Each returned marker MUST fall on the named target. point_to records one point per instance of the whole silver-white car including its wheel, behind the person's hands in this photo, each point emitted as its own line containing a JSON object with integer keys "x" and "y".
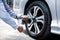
{"x": 44, "y": 16}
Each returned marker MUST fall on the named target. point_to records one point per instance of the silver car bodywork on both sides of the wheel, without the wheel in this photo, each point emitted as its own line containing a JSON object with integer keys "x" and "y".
{"x": 55, "y": 12}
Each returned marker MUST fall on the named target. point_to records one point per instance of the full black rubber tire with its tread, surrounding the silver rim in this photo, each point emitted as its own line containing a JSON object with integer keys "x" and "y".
{"x": 46, "y": 29}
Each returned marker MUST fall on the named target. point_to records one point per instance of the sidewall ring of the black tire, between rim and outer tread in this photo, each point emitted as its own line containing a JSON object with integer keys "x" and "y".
{"x": 46, "y": 16}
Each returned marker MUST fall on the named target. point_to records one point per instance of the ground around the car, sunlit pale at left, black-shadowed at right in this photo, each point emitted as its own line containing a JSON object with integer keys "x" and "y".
{"x": 8, "y": 33}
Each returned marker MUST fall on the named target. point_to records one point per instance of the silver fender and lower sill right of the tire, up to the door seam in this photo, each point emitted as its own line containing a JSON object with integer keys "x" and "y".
{"x": 54, "y": 24}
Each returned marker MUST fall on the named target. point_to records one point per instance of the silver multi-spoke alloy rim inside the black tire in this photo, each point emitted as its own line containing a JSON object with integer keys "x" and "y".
{"x": 34, "y": 20}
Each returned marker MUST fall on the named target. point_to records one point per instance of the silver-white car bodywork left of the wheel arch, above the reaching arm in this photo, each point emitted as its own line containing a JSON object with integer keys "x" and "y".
{"x": 19, "y": 6}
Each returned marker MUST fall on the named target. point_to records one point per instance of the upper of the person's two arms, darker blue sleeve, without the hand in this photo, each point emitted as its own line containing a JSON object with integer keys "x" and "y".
{"x": 12, "y": 14}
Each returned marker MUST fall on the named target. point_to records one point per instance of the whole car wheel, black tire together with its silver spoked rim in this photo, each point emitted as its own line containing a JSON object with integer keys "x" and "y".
{"x": 45, "y": 29}
